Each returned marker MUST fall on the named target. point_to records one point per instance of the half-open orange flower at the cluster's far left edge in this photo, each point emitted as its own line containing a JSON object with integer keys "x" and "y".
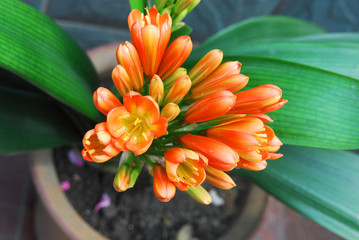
{"x": 98, "y": 145}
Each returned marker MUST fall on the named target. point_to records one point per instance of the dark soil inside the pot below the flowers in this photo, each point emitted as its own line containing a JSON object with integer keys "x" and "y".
{"x": 137, "y": 214}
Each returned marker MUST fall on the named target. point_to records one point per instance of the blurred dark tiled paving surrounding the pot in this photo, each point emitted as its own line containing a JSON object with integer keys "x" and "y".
{"x": 97, "y": 22}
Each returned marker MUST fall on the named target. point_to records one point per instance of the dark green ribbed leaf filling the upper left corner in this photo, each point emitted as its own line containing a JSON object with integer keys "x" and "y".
{"x": 35, "y": 48}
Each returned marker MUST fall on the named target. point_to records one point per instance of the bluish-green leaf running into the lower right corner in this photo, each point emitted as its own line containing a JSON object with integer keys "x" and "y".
{"x": 321, "y": 184}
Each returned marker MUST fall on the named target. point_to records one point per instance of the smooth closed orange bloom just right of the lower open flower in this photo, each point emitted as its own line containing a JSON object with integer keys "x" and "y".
{"x": 219, "y": 155}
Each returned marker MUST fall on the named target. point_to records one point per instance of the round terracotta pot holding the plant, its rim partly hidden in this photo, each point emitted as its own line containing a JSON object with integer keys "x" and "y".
{"x": 56, "y": 219}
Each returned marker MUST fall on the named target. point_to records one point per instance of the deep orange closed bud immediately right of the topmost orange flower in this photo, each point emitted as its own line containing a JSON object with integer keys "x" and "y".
{"x": 175, "y": 56}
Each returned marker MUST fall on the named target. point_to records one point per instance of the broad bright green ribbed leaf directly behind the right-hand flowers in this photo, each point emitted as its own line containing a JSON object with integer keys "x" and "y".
{"x": 322, "y": 109}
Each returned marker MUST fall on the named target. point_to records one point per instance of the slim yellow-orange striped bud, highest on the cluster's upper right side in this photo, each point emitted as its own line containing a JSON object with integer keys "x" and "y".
{"x": 205, "y": 66}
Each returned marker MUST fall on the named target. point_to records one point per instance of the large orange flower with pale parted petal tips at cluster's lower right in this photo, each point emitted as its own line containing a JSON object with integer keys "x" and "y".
{"x": 249, "y": 137}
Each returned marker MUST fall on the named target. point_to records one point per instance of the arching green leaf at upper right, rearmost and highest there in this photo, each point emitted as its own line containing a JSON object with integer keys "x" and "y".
{"x": 257, "y": 30}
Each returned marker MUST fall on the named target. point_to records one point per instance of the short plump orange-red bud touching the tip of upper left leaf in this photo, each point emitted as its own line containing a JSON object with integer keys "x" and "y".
{"x": 105, "y": 101}
